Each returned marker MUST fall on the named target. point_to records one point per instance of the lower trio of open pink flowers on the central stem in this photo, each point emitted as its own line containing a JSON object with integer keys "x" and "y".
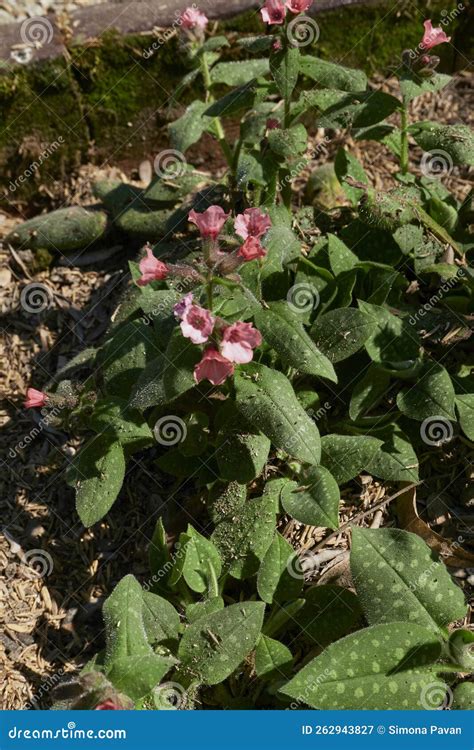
{"x": 233, "y": 344}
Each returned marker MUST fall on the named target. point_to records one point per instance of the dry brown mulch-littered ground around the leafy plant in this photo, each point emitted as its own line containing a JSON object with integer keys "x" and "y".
{"x": 51, "y": 625}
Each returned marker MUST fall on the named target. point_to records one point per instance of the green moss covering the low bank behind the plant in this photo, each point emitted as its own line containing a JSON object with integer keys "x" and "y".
{"x": 115, "y": 94}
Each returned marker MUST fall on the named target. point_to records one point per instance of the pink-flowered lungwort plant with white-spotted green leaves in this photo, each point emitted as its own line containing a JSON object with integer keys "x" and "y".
{"x": 267, "y": 356}
